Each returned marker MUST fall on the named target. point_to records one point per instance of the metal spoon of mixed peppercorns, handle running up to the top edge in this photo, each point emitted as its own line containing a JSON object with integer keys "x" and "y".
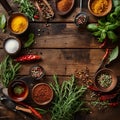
{"x": 81, "y": 18}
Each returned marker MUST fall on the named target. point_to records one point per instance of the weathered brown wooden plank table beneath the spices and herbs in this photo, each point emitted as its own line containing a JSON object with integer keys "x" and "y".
{"x": 64, "y": 48}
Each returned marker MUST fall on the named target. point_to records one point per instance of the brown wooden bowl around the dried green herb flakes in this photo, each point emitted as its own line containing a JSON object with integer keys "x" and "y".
{"x": 111, "y": 85}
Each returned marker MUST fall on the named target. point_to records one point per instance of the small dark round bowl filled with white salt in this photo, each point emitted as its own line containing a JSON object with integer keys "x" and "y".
{"x": 12, "y": 45}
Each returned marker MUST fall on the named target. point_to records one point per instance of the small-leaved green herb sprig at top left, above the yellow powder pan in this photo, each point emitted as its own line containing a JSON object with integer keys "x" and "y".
{"x": 26, "y": 7}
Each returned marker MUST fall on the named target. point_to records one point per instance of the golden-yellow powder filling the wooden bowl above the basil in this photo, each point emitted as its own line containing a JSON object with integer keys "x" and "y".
{"x": 99, "y": 6}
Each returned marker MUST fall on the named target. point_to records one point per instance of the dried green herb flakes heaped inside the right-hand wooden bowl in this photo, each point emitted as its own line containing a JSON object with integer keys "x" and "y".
{"x": 104, "y": 80}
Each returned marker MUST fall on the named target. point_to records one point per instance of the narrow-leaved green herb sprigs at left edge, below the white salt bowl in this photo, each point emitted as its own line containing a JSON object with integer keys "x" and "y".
{"x": 8, "y": 70}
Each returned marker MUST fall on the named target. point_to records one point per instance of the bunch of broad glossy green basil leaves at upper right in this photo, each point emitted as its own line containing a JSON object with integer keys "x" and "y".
{"x": 106, "y": 26}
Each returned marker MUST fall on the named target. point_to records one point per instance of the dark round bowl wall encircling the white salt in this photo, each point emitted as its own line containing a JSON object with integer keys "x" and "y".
{"x": 12, "y": 53}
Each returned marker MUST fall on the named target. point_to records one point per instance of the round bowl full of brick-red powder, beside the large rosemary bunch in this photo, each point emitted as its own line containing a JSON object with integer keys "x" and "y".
{"x": 42, "y": 94}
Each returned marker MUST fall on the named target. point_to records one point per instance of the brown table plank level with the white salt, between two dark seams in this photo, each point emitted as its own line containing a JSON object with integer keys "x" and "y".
{"x": 59, "y": 35}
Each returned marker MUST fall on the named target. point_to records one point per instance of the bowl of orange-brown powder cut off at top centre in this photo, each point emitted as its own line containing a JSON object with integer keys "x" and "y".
{"x": 63, "y": 7}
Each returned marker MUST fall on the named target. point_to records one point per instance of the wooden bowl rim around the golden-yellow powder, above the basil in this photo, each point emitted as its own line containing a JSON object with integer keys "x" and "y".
{"x": 90, "y": 2}
